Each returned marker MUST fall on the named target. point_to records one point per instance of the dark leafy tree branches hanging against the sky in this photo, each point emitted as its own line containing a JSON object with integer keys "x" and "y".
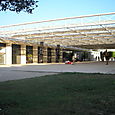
{"x": 18, "y": 5}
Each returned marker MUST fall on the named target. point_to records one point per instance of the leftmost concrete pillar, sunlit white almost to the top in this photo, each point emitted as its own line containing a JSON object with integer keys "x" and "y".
{"x": 8, "y": 54}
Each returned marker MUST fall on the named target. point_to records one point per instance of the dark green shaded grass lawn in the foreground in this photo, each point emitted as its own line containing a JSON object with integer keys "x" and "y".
{"x": 61, "y": 94}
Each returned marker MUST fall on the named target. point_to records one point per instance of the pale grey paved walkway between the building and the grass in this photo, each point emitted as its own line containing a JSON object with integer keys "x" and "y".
{"x": 28, "y": 71}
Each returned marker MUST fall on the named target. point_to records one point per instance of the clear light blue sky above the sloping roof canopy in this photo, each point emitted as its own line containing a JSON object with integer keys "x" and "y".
{"x": 53, "y": 9}
